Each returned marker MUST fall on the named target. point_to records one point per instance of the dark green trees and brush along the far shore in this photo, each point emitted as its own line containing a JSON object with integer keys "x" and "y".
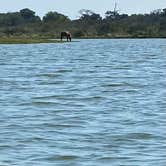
{"x": 25, "y": 23}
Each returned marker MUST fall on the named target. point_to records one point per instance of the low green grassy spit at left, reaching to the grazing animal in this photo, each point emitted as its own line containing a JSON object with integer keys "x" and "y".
{"x": 28, "y": 40}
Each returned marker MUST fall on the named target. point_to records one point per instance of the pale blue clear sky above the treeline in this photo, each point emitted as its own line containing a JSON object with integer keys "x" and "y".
{"x": 71, "y": 7}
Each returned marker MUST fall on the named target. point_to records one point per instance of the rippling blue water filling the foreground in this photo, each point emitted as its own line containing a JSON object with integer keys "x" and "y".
{"x": 87, "y": 103}
